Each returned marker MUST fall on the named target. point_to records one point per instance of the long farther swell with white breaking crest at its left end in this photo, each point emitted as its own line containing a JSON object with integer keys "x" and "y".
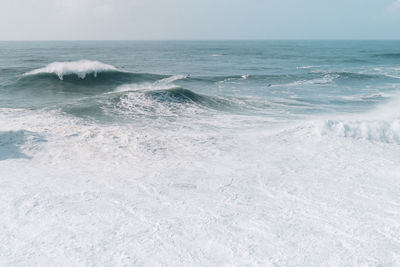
{"x": 90, "y": 76}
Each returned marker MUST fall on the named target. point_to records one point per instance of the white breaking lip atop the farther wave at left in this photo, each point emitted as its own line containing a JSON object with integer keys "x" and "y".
{"x": 80, "y": 68}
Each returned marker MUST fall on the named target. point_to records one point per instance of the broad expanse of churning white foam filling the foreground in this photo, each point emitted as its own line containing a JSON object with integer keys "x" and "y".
{"x": 216, "y": 190}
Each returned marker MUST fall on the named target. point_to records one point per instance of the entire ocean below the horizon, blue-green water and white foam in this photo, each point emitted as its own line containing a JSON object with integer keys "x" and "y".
{"x": 203, "y": 153}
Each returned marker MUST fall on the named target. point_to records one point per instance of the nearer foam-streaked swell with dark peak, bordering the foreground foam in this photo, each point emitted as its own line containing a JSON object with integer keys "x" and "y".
{"x": 160, "y": 103}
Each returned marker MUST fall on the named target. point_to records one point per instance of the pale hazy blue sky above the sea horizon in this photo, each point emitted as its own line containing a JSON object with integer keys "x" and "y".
{"x": 199, "y": 19}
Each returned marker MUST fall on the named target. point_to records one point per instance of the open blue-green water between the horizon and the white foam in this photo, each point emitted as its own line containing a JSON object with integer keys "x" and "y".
{"x": 271, "y": 77}
